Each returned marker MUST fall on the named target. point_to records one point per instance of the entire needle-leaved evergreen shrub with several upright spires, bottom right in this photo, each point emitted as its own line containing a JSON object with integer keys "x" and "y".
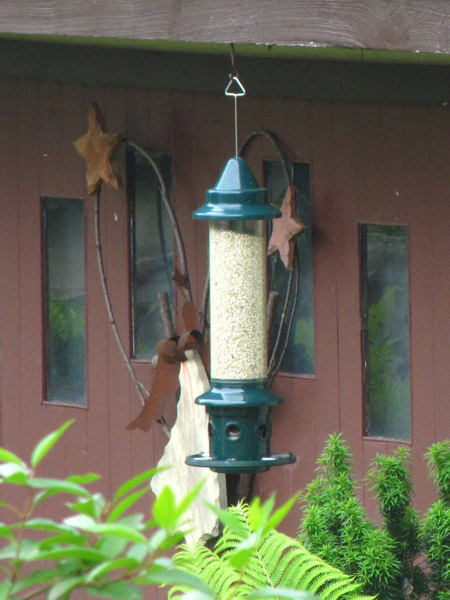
{"x": 407, "y": 557}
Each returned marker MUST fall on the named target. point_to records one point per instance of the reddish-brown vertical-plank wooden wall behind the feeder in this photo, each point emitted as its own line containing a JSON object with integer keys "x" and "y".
{"x": 370, "y": 162}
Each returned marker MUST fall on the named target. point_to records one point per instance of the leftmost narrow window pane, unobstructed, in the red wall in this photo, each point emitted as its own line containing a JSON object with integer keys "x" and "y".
{"x": 64, "y": 290}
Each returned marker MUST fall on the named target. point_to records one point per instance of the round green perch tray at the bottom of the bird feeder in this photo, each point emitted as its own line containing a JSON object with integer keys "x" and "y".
{"x": 231, "y": 465}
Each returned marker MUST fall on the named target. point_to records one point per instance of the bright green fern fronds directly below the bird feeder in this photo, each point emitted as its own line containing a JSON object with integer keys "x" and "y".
{"x": 251, "y": 555}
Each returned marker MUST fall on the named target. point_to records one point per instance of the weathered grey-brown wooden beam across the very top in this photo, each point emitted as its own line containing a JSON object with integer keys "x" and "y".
{"x": 422, "y": 25}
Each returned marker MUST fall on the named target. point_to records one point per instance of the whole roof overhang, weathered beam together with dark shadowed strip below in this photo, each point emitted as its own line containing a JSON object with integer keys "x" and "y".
{"x": 359, "y": 50}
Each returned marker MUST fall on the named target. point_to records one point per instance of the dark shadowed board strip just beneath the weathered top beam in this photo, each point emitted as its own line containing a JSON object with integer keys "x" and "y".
{"x": 306, "y": 80}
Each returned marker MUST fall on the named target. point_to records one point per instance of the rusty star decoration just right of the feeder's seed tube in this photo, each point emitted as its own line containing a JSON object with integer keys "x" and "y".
{"x": 286, "y": 229}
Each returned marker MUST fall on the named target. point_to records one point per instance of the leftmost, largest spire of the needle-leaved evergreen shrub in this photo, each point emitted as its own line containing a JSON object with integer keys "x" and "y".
{"x": 335, "y": 526}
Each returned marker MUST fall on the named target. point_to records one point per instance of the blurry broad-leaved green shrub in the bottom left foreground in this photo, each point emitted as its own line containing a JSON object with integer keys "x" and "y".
{"x": 102, "y": 547}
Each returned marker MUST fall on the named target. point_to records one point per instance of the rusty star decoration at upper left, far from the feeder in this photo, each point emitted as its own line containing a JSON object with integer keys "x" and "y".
{"x": 99, "y": 149}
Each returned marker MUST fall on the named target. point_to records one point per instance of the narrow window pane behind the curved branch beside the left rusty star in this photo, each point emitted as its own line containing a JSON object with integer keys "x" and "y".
{"x": 151, "y": 251}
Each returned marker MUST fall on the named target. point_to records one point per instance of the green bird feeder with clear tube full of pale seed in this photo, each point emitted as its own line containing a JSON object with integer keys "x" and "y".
{"x": 239, "y": 404}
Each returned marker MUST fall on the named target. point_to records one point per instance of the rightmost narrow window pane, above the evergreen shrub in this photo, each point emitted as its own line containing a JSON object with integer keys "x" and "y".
{"x": 385, "y": 308}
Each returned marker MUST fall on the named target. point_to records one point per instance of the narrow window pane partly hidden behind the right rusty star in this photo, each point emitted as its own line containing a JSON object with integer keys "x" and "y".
{"x": 300, "y": 355}
